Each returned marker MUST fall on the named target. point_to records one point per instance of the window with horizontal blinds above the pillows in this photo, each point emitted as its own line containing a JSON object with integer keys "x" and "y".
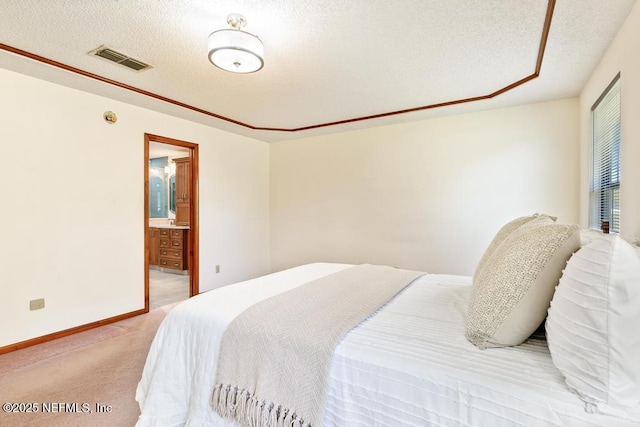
{"x": 604, "y": 197}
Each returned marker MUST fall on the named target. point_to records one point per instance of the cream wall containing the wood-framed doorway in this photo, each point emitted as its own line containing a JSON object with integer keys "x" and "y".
{"x": 72, "y": 217}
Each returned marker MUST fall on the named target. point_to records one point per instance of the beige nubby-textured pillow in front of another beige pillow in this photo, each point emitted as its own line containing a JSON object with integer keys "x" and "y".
{"x": 511, "y": 293}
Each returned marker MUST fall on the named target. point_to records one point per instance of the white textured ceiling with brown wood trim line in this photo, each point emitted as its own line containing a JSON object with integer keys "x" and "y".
{"x": 325, "y": 60}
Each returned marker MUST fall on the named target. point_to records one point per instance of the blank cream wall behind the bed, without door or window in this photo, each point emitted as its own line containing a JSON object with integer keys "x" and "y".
{"x": 426, "y": 195}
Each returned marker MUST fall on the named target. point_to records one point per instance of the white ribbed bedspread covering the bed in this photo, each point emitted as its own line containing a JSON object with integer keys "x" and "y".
{"x": 409, "y": 365}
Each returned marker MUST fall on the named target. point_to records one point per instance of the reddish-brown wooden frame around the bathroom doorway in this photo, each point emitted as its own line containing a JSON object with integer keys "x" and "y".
{"x": 193, "y": 240}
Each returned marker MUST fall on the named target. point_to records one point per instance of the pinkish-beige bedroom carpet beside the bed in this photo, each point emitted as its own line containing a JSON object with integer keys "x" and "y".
{"x": 99, "y": 366}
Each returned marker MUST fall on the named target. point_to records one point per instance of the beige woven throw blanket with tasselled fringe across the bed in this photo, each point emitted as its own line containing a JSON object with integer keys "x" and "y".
{"x": 275, "y": 357}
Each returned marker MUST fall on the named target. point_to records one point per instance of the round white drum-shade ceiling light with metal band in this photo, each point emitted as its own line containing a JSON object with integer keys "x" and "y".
{"x": 235, "y": 50}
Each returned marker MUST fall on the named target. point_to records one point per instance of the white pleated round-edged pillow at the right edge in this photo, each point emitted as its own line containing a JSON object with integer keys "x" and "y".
{"x": 593, "y": 326}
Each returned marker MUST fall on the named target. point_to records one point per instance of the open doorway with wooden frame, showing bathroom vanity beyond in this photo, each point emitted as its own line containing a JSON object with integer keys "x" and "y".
{"x": 171, "y": 220}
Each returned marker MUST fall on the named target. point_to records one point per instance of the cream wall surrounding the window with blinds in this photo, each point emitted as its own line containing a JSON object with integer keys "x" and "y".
{"x": 622, "y": 56}
